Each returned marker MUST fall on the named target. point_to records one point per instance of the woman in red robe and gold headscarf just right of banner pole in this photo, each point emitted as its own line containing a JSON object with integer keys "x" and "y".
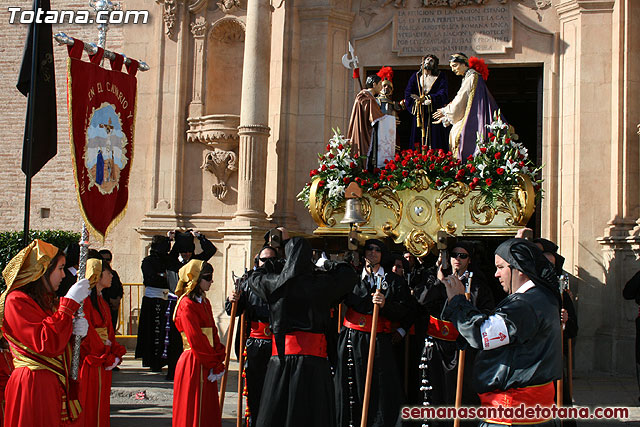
{"x": 100, "y": 352}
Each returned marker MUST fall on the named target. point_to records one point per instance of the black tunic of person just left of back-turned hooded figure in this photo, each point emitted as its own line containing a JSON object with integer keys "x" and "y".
{"x": 255, "y": 309}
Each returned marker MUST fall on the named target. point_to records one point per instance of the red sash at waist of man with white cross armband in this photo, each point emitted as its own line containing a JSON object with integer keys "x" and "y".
{"x": 531, "y": 396}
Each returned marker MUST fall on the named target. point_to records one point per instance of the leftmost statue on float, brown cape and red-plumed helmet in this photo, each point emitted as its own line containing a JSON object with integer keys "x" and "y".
{"x": 372, "y": 132}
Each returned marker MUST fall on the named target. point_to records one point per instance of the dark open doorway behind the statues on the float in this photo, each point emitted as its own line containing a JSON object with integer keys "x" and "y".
{"x": 518, "y": 92}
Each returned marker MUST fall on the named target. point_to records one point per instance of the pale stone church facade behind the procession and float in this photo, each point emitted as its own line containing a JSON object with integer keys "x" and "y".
{"x": 242, "y": 94}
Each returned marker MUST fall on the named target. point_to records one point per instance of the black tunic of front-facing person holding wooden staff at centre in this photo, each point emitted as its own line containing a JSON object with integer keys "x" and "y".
{"x": 387, "y": 395}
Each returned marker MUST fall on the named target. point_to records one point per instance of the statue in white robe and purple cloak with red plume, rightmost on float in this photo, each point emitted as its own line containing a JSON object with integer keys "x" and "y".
{"x": 471, "y": 110}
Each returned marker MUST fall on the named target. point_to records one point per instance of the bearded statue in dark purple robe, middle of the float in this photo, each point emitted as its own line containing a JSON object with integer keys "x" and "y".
{"x": 426, "y": 91}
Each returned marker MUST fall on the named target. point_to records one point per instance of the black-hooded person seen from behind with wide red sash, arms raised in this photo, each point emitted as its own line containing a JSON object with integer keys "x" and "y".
{"x": 298, "y": 390}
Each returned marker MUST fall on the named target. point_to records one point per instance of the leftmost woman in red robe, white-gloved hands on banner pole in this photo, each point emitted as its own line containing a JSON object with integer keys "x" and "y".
{"x": 38, "y": 392}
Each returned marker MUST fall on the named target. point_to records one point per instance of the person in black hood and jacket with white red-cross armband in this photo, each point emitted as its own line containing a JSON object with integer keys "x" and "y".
{"x": 520, "y": 340}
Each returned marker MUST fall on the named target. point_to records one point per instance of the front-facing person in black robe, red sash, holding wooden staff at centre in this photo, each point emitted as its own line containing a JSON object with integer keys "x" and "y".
{"x": 387, "y": 394}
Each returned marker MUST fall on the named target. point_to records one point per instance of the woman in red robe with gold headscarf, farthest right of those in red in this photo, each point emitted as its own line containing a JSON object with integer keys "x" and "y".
{"x": 201, "y": 365}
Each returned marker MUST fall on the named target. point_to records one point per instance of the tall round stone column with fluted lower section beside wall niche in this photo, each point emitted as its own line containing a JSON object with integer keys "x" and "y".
{"x": 254, "y": 114}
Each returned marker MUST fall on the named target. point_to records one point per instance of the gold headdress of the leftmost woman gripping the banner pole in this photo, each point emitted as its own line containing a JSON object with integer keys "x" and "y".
{"x": 28, "y": 266}
